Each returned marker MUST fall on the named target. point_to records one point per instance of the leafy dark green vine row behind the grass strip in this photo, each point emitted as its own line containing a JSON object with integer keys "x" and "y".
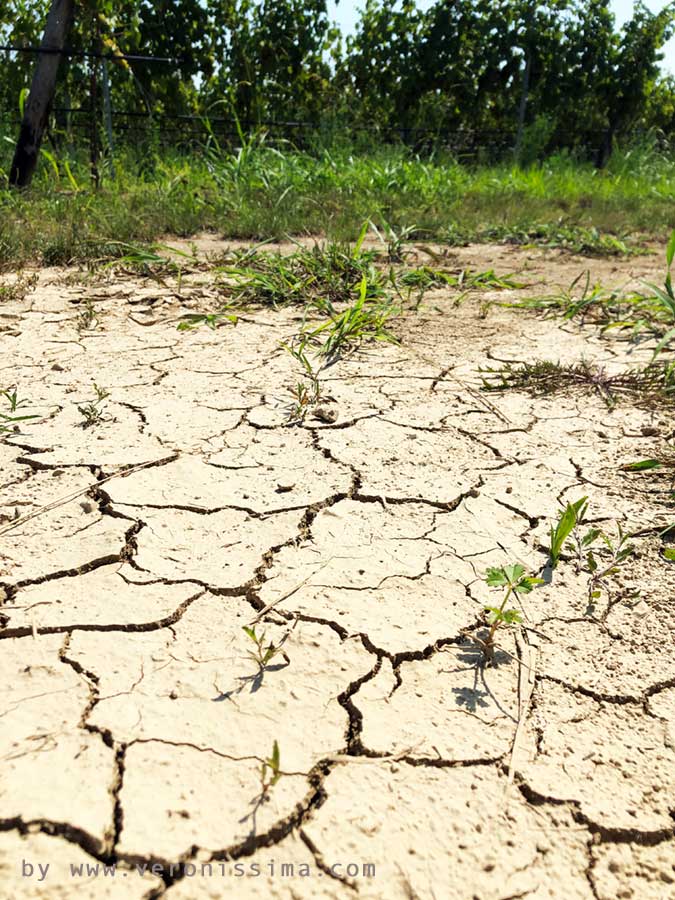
{"x": 450, "y": 67}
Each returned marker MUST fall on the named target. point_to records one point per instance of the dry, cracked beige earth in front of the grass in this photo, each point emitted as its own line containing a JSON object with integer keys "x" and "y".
{"x": 133, "y": 721}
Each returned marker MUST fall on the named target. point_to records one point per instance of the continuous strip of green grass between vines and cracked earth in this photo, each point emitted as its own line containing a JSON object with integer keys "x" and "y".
{"x": 266, "y": 193}
